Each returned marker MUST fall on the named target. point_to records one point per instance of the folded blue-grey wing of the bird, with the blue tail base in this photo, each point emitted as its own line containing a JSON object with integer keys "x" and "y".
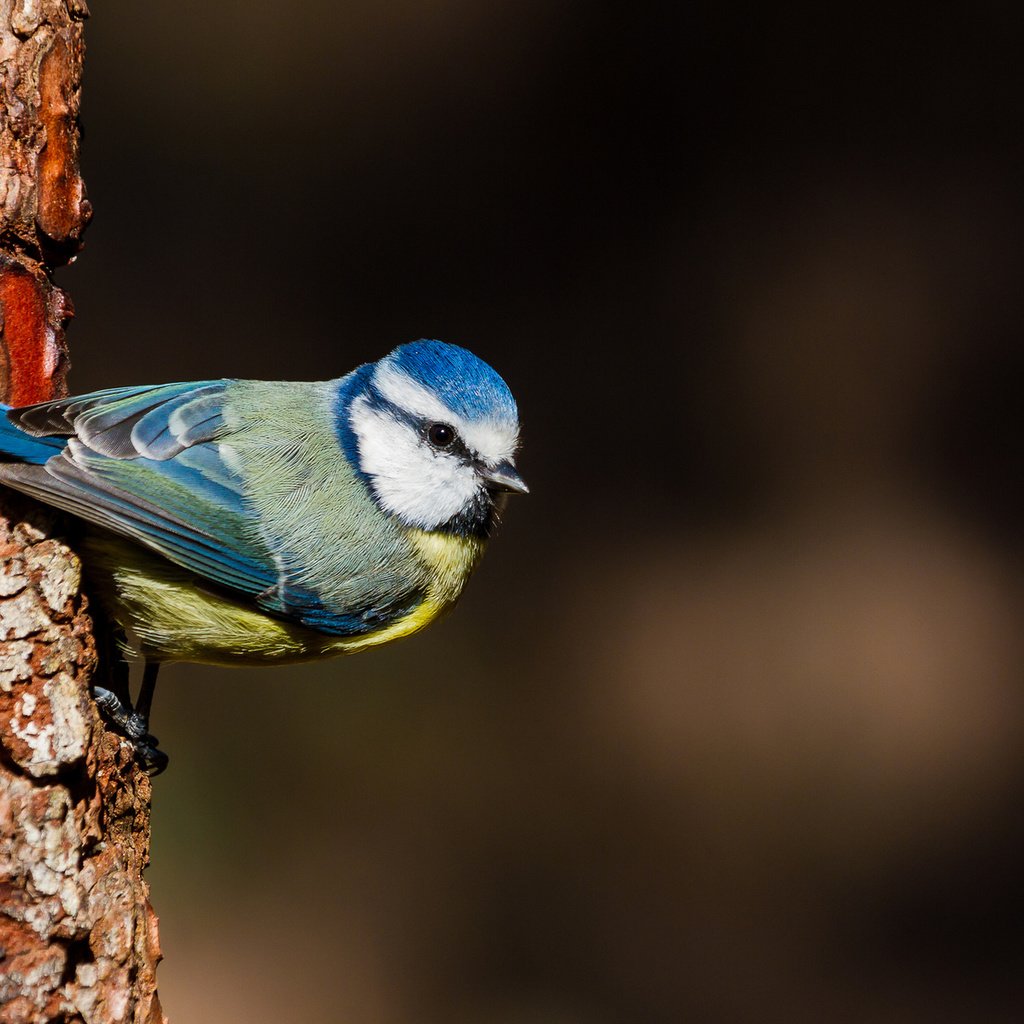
{"x": 146, "y": 463}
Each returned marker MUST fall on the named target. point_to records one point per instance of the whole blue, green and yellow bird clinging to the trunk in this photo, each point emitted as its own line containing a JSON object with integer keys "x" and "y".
{"x": 257, "y": 523}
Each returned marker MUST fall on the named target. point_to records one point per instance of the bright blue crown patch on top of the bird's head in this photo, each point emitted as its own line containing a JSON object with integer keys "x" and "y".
{"x": 466, "y": 385}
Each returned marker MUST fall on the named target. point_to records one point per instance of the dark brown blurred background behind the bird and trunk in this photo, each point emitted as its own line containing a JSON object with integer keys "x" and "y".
{"x": 729, "y": 727}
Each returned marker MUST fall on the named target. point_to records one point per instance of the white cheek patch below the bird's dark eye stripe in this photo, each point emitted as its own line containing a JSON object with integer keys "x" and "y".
{"x": 422, "y": 488}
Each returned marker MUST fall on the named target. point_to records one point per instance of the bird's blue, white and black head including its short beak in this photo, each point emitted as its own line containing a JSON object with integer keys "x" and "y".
{"x": 434, "y": 432}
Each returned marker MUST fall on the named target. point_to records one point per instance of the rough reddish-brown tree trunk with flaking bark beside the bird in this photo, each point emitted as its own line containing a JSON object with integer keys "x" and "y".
{"x": 78, "y": 936}
